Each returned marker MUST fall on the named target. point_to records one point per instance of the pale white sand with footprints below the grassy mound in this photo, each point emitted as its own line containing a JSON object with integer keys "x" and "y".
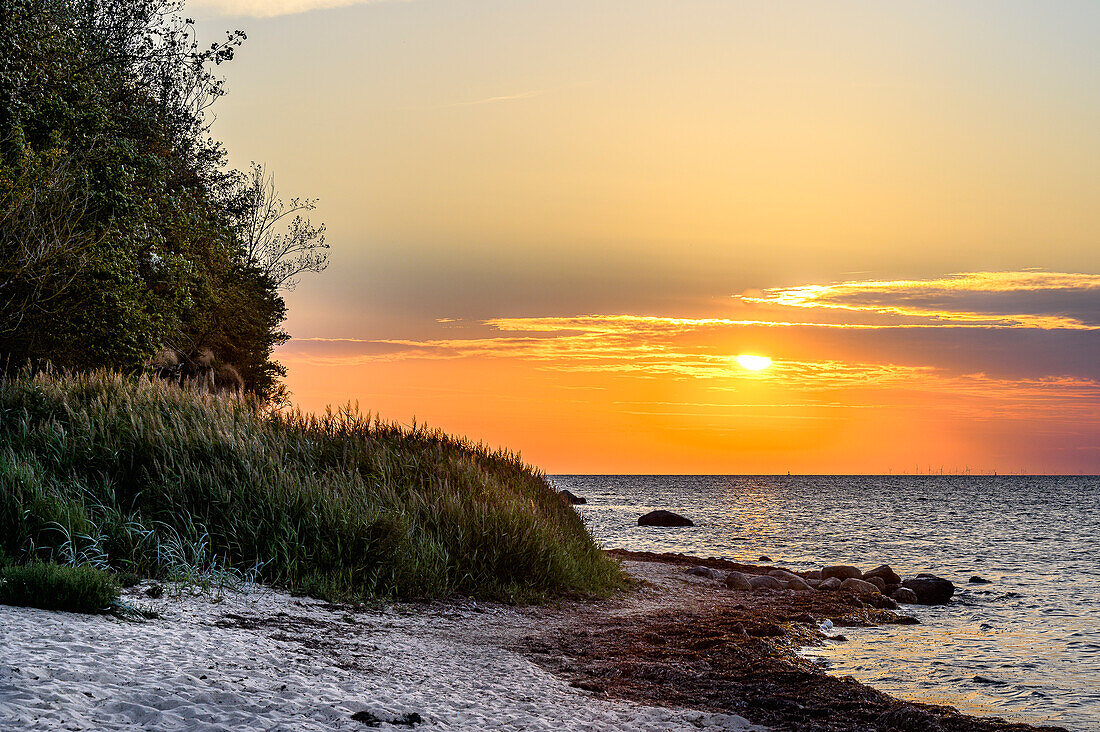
{"x": 197, "y": 669}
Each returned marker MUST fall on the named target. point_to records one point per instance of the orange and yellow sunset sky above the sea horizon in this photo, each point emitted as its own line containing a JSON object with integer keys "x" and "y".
{"x": 556, "y": 226}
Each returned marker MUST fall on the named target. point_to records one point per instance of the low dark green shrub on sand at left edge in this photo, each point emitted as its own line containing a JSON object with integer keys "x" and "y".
{"x": 58, "y": 587}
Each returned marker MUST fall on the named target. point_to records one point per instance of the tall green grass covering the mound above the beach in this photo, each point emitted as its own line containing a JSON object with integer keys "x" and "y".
{"x": 124, "y": 473}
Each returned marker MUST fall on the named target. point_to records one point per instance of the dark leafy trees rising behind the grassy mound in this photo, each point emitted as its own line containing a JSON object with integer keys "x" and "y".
{"x": 123, "y": 231}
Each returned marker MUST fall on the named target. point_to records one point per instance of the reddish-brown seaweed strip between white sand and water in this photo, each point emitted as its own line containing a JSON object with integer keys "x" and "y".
{"x": 738, "y": 652}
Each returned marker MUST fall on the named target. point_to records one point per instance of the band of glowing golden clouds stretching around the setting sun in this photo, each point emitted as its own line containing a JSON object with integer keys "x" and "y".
{"x": 964, "y": 334}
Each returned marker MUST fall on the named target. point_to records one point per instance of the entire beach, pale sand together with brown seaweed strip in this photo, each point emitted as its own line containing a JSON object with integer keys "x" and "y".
{"x": 678, "y": 652}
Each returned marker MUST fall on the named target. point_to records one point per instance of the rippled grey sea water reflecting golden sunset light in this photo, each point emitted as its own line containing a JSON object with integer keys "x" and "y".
{"x": 1026, "y": 648}
